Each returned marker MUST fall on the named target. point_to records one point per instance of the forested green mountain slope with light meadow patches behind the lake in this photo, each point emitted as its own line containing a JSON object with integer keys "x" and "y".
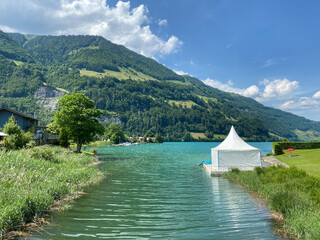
{"x": 134, "y": 90}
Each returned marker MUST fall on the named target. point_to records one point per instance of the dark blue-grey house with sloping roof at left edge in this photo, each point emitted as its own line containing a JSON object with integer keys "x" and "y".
{"x": 24, "y": 121}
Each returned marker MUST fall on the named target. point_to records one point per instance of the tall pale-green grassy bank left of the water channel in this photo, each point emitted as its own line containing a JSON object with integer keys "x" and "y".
{"x": 32, "y": 180}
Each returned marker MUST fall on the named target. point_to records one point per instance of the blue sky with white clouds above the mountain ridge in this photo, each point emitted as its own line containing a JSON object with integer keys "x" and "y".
{"x": 268, "y": 50}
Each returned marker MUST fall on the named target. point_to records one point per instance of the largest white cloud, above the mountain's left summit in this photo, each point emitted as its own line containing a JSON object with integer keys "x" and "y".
{"x": 120, "y": 24}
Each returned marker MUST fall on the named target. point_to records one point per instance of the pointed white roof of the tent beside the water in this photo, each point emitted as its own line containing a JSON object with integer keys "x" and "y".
{"x": 234, "y": 143}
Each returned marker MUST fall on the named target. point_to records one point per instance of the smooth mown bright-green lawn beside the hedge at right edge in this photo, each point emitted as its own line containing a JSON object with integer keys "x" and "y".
{"x": 308, "y": 160}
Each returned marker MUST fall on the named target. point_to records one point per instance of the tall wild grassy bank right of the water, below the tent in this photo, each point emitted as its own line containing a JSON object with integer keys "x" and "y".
{"x": 289, "y": 191}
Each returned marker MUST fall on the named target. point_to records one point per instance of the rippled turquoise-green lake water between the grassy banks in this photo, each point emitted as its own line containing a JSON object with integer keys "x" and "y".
{"x": 158, "y": 191}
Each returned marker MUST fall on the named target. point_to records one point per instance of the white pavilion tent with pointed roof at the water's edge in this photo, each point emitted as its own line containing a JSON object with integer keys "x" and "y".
{"x": 233, "y": 152}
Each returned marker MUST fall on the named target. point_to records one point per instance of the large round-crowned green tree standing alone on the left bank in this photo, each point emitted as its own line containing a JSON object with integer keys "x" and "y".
{"x": 77, "y": 117}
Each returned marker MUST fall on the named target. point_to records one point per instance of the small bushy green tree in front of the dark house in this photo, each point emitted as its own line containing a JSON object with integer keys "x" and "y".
{"x": 17, "y": 138}
